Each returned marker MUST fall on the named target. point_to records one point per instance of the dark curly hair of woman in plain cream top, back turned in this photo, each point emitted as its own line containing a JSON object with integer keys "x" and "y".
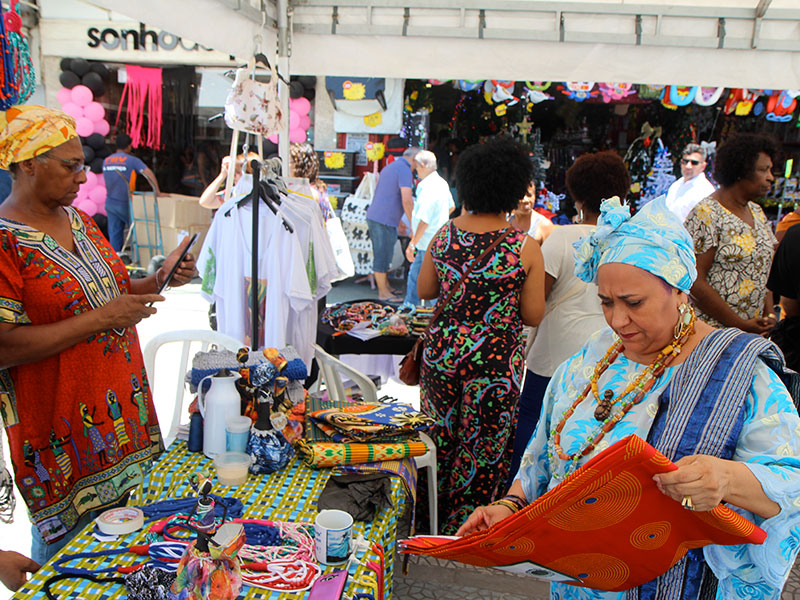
{"x": 594, "y": 177}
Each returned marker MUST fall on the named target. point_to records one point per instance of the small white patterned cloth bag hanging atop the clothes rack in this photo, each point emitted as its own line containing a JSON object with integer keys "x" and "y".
{"x": 253, "y": 106}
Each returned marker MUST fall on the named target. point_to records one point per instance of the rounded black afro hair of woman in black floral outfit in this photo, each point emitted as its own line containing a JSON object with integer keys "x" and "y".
{"x": 493, "y": 177}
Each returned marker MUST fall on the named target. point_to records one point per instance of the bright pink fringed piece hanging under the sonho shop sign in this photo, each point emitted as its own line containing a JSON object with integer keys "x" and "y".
{"x": 143, "y": 92}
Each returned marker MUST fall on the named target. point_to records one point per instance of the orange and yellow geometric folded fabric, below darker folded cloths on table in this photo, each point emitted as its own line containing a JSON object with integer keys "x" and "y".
{"x": 328, "y": 454}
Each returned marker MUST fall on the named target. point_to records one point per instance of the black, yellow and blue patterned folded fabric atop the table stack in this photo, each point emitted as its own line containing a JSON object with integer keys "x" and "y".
{"x": 369, "y": 422}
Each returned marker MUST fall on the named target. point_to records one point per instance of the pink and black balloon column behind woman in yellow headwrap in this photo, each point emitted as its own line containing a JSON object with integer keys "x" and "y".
{"x": 80, "y": 101}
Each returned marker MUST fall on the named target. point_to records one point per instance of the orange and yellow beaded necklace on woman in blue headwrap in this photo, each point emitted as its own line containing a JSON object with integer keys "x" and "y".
{"x": 641, "y": 385}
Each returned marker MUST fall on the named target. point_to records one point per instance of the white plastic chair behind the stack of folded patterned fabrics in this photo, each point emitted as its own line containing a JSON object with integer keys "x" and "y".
{"x": 333, "y": 370}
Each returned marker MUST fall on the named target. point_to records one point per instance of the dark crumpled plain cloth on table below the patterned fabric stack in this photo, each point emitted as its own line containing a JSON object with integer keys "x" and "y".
{"x": 360, "y": 494}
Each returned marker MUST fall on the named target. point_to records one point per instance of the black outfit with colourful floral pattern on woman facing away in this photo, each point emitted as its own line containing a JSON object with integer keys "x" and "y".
{"x": 472, "y": 368}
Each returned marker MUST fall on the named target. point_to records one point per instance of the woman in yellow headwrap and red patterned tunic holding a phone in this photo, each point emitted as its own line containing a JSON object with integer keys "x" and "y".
{"x": 67, "y": 336}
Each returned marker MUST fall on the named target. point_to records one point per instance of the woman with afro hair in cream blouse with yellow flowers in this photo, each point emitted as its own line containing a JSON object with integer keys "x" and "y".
{"x": 733, "y": 242}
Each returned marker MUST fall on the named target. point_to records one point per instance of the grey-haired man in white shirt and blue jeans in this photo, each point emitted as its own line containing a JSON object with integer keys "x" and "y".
{"x": 432, "y": 208}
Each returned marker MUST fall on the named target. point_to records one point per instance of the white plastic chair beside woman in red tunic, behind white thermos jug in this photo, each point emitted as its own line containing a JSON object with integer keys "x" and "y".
{"x": 187, "y": 337}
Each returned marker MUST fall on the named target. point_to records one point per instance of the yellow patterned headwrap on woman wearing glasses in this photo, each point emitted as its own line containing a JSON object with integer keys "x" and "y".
{"x": 28, "y": 130}
